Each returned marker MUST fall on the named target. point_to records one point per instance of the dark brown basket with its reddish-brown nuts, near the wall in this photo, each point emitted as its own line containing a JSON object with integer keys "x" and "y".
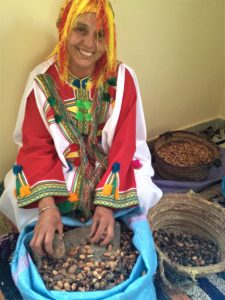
{"x": 185, "y": 156}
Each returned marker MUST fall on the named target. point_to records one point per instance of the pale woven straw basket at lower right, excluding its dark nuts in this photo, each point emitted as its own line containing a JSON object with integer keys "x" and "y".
{"x": 189, "y": 213}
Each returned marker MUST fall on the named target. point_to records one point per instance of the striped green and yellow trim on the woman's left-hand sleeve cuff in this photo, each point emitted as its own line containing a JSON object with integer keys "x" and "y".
{"x": 42, "y": 190}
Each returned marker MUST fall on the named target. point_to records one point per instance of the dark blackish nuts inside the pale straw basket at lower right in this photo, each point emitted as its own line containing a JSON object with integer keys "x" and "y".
{"x": 187, "y": 249}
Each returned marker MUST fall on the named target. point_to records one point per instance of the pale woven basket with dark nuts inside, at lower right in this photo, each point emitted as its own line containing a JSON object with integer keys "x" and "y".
{"x": 189, "y": 235}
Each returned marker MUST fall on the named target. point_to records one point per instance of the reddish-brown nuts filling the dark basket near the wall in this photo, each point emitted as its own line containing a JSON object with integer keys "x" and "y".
{"x": 185, "y": 154}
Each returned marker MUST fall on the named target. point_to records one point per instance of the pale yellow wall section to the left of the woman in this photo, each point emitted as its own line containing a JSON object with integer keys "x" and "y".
{"x": 27, "y": 35}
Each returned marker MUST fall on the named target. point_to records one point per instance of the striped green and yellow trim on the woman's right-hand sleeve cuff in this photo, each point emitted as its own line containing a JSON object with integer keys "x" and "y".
{"x": 126, "y": 199}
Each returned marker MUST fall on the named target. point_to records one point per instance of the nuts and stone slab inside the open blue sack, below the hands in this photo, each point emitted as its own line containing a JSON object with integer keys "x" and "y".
{"x": 81, "y": 266}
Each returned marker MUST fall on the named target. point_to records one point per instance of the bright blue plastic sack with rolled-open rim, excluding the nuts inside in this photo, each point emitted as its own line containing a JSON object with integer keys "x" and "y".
{"x": 136, "y": 287}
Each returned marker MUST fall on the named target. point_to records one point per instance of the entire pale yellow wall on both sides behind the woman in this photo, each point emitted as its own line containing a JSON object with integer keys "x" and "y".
{"x": 175, "y": 46}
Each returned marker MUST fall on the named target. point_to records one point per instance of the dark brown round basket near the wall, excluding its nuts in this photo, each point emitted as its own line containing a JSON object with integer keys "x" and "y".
{"x": 172, "y": 172}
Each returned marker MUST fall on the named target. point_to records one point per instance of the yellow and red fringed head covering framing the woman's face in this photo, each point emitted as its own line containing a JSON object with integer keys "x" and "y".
{"x": 68, "y": 15}
